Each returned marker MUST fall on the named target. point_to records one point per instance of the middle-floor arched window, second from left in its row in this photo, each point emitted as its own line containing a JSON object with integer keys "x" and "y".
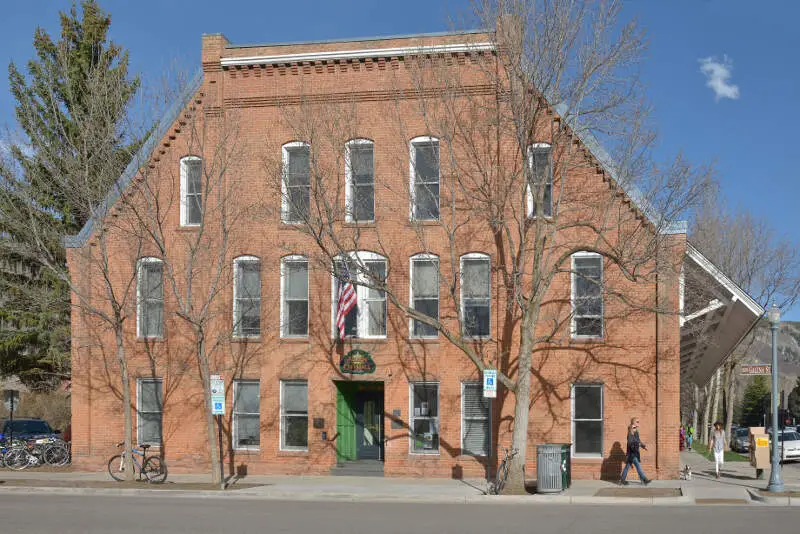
{"x": 247, "y": 296}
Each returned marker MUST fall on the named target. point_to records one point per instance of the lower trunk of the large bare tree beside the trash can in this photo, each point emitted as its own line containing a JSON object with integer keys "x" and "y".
{"x": 522, "y": 396}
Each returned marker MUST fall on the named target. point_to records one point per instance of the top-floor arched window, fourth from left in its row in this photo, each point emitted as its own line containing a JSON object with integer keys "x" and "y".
{"x": 424, "y": 179}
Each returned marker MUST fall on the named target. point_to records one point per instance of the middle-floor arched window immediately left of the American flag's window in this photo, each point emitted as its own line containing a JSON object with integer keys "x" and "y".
{"x": 294, "y": 301}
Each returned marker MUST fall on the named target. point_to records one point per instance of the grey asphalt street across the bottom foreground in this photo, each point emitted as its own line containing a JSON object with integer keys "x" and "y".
{"x": 35, "y": 514}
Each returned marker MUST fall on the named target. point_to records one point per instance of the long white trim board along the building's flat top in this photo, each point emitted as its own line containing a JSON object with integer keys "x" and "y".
{"x": 358, "y": 54}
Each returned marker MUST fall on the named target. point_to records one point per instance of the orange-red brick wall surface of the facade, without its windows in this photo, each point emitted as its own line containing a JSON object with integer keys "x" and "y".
{"x": 637, "y": 362}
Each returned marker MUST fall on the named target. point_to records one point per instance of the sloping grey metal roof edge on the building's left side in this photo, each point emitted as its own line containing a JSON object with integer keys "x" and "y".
{"x": 139, "y": 159}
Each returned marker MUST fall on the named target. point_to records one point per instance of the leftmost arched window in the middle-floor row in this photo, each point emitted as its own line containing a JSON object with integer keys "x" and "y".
{"x": 150, "y": 298}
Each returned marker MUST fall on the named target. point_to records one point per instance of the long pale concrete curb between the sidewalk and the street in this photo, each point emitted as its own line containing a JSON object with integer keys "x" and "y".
{"x": 535, "y": 500}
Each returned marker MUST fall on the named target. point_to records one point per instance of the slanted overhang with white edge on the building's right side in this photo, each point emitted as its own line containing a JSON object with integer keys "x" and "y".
{"x": 717, "y": 315}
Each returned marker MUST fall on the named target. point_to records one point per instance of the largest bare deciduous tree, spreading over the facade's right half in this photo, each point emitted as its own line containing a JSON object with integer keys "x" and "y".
{"x": 511, "y": 136}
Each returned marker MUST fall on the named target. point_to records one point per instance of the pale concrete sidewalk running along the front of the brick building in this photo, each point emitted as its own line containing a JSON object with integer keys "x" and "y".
{"x": 738, "y": 486}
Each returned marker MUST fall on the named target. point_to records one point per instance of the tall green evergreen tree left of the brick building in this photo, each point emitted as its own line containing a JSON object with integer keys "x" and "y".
{"x": 80, "y": 81}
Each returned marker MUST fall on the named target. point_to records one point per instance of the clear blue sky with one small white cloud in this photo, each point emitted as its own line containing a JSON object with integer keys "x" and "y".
{"x": 751, "y": 136}
